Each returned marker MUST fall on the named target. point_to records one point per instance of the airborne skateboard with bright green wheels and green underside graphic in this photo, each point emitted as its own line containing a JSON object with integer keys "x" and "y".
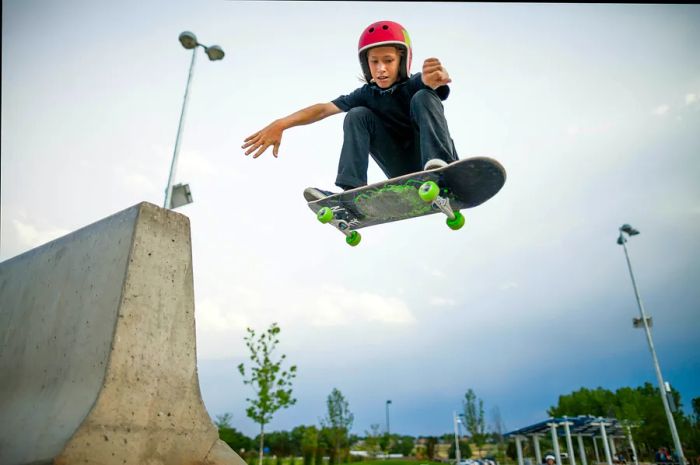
{"x": 460, "y": 185}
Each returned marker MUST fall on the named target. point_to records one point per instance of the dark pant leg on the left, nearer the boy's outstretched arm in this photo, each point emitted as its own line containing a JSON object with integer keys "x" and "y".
{"x": 364, "y": 134}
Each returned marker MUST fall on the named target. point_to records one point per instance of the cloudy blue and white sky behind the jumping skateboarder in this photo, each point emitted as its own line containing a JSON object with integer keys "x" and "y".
{"x": 593, "y": 110}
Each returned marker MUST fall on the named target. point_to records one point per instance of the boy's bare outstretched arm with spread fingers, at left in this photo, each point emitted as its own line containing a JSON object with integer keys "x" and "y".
{"x": 272, "y": 133}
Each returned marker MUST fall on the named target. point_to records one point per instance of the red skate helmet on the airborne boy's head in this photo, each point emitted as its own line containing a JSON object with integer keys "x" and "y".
{"x": 385, "y": 33}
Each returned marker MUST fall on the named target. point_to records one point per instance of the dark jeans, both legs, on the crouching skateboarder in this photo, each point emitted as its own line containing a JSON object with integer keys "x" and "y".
{"x": 365, "y": 134}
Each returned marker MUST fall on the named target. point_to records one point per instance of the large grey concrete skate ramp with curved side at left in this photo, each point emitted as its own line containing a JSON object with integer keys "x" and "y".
{"x": 98, "y": 352}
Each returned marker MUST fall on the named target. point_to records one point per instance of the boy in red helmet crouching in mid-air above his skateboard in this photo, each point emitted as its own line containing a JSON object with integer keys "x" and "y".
{"x": 396, "y": 117}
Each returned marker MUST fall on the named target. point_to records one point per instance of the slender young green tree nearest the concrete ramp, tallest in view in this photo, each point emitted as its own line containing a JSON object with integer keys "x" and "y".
{"x": 271, "y": 384}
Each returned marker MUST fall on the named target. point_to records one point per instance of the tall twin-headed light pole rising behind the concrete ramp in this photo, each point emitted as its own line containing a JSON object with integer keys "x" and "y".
{"x": 176, "y": 196}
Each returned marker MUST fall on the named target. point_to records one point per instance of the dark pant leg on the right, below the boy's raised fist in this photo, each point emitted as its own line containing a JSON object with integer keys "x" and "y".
{"x": 428, "y": 118}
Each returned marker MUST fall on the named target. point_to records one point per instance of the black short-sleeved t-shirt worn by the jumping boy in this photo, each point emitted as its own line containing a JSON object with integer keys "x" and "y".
{"x": 392, "y": 105}
